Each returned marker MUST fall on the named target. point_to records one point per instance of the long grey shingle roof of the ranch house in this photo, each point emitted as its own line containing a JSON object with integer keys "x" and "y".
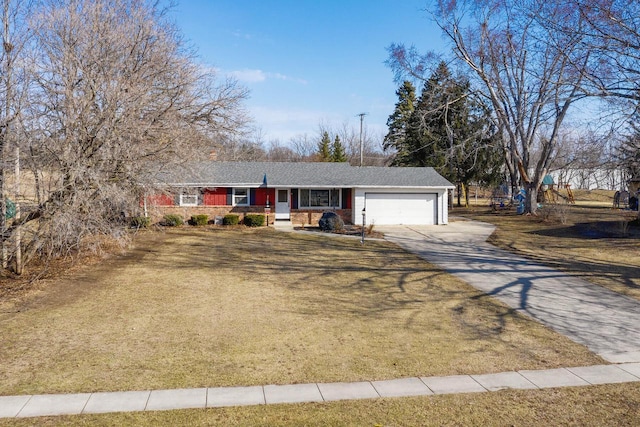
{"x": 292, "y": 175}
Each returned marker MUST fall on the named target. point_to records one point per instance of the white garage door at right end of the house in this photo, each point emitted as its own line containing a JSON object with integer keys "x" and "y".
{"x": 405, "y": 208}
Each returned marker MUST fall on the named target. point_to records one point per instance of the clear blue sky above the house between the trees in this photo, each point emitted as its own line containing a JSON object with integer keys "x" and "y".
{"x": 308, "y": 62}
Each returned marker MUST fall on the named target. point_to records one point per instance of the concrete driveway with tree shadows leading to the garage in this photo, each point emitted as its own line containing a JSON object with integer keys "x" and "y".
{"x": 606, "y": 322}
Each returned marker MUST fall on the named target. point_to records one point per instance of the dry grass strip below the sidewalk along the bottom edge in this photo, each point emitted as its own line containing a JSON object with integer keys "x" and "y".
{"x": 606, "y": 405}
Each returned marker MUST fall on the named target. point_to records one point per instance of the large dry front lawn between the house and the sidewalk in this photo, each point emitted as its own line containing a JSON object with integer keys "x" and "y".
{"x": 196, "y": 308}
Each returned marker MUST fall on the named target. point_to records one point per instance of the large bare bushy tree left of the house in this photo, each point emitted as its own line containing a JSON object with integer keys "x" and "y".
{"x": 116, "y": 95}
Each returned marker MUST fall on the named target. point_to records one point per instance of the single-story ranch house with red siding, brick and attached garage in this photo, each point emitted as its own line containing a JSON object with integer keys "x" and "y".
{"x": 301, "y": 192}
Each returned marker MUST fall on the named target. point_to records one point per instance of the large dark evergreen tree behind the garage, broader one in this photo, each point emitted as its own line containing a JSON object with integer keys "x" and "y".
{"x": 450, "y": 131}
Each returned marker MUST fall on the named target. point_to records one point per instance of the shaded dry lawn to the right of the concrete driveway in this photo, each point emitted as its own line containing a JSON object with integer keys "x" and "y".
{"x": 596, "y": 243}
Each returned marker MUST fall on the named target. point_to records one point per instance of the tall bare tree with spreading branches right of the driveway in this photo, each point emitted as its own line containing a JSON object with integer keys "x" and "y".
{"x": 530, "y": 75}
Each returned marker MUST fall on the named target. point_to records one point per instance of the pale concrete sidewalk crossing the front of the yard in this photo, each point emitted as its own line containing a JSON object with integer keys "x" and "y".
{"x": 162, "y": 400}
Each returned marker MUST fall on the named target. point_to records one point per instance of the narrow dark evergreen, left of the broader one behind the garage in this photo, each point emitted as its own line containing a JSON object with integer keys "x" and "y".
{"x": 398, "y": 123}
